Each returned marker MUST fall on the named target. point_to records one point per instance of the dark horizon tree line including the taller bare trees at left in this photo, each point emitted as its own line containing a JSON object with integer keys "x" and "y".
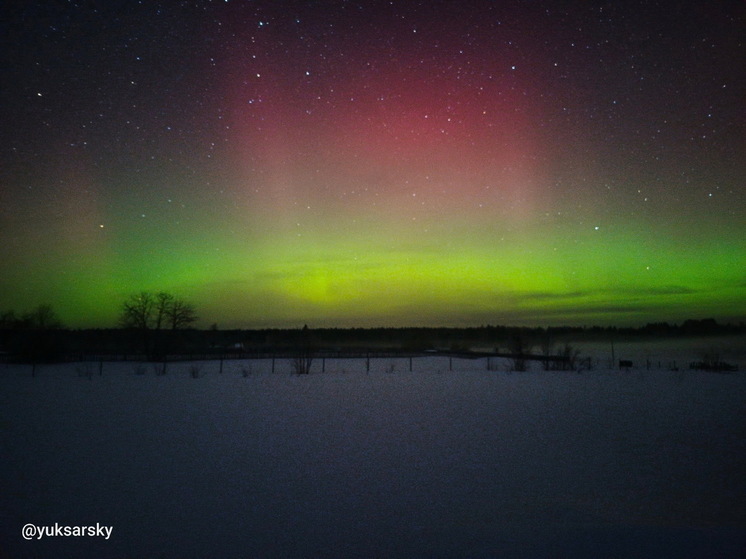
{"x": 158, "y": 324}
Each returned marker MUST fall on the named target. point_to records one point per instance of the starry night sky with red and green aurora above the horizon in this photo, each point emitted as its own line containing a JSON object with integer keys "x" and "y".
{"x": 403, "y": 163}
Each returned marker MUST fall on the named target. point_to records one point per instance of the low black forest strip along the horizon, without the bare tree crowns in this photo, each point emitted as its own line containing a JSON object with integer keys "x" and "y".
{"x": 19, "y": 342}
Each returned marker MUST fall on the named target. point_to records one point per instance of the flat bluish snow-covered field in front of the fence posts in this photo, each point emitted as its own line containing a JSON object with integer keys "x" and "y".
{"x": 388, "y": 463}
